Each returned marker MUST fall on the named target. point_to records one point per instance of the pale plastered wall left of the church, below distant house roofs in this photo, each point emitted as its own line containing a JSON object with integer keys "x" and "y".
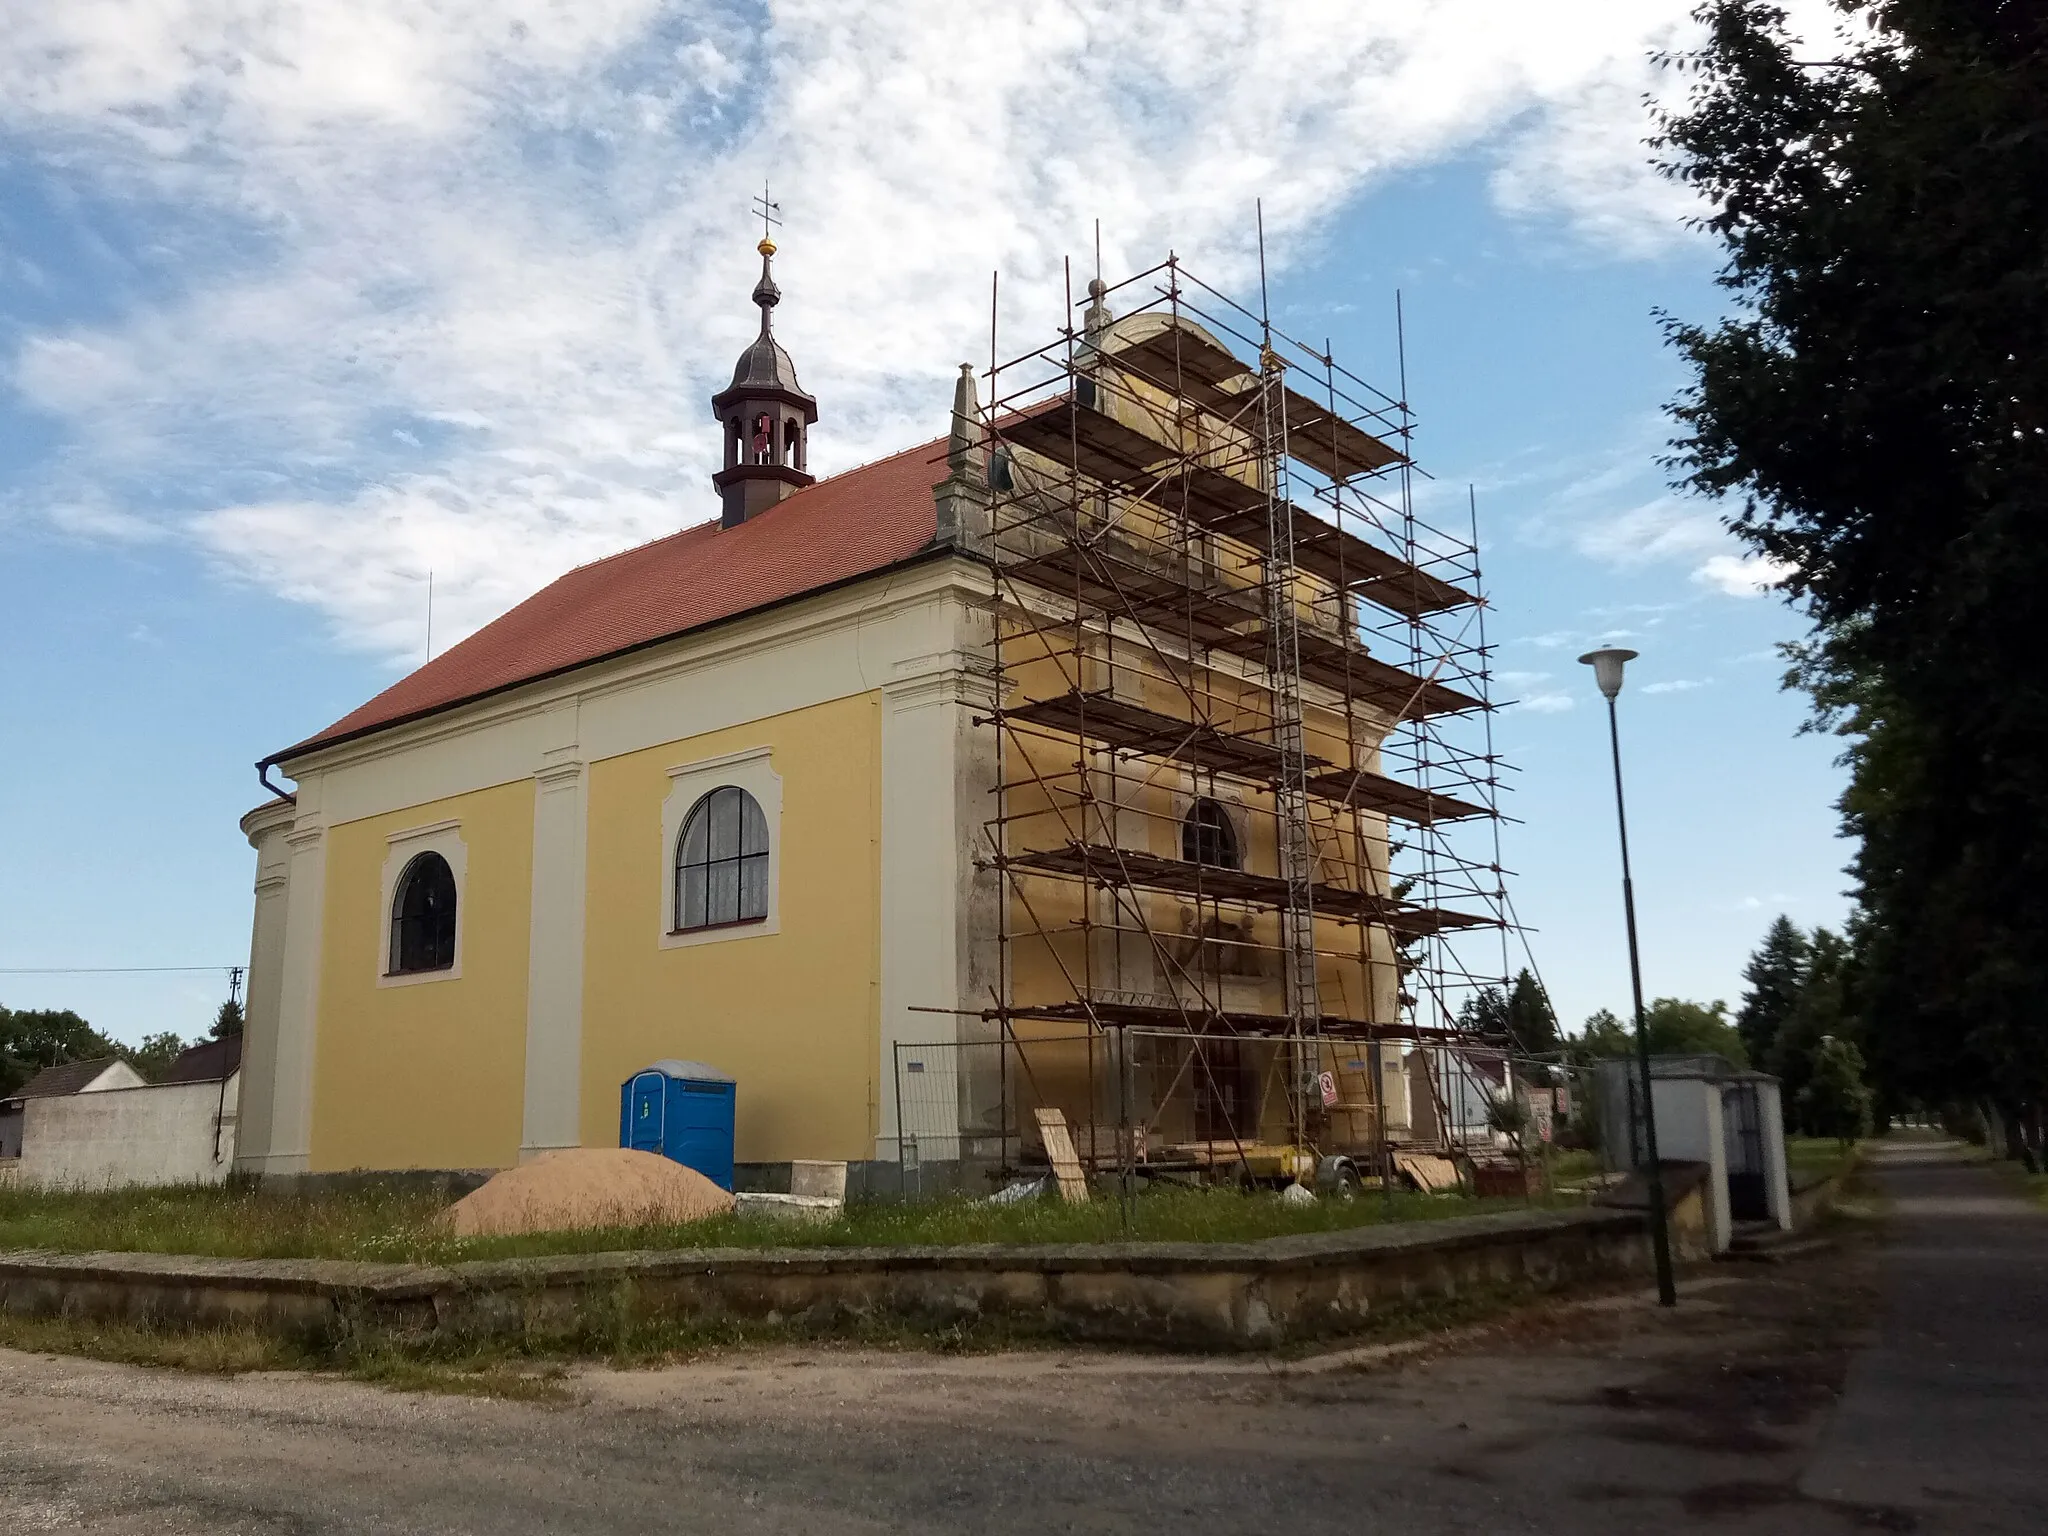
{"x": 122, "y": 1138}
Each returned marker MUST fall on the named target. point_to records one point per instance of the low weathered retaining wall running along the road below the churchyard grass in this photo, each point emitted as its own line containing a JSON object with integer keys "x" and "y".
{"x": 1203, "y": 1295}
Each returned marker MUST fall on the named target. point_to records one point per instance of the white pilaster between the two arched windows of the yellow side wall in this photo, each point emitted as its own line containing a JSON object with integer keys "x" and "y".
{"x": 556, "y": 955}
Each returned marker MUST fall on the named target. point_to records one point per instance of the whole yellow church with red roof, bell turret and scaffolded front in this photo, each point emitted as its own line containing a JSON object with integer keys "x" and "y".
{"x": 984, "y": 740}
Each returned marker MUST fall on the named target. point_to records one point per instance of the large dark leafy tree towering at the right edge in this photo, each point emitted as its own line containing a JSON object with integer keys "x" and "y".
{"x": 1879, "y": 421}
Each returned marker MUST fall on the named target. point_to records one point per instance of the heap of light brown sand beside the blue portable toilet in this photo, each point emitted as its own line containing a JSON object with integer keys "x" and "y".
{"x": 587, "y": 1187}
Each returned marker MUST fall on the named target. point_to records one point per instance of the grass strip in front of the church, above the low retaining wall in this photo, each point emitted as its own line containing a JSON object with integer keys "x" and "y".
{"x": 392, "y": 1226}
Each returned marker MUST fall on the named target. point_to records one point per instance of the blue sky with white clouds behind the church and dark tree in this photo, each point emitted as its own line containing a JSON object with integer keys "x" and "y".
{"x": 298, "y": 310}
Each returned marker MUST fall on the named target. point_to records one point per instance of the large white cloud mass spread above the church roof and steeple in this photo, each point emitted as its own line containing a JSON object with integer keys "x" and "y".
{"x": 503, "y": 257}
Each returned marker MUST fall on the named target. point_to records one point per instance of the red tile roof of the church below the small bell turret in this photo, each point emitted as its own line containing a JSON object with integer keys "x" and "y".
{"x": 826, "y": 534}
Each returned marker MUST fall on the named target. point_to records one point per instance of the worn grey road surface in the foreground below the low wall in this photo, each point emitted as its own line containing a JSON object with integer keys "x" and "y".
{"x": 1869, "y": 1388}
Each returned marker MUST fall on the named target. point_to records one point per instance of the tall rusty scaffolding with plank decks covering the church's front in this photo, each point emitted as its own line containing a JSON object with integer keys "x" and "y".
{"x": 1242, "y": 783}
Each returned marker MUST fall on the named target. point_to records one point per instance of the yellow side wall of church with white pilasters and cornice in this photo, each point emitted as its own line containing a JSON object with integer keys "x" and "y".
{"x": 558, "y": 812}
